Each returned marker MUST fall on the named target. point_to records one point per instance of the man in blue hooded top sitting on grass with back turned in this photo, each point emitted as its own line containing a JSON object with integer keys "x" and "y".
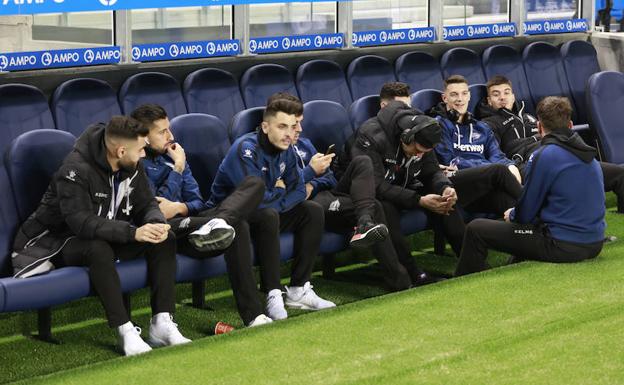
{"x": 557, "y": 219}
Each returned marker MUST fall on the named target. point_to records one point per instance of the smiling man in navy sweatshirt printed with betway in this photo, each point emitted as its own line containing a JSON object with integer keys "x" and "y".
{"x": 486, "y": 181}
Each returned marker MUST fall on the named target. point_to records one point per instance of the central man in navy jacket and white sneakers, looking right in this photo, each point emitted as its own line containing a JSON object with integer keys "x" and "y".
{"x": 268, "y": 154}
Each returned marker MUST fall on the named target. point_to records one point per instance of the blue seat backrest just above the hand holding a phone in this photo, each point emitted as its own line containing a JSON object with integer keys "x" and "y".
{"x": 326, "y": 123}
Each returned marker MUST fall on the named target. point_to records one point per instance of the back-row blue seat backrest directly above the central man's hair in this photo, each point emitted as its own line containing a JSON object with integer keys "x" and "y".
{"x": 261, "y": 81}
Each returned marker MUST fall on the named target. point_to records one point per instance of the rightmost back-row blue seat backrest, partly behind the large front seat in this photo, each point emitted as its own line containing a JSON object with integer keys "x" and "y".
{"x": 580, "y": 61}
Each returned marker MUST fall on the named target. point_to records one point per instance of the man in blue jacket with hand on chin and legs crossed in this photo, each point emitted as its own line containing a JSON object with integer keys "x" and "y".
{"x": 203, "y": 232}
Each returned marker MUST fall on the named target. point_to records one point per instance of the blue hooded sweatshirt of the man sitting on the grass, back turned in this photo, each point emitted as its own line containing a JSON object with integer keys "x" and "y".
{"x": 564, "y": 189}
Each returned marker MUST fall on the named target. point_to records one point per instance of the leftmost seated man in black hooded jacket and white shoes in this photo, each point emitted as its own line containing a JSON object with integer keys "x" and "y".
{"x": 99, "y": 208}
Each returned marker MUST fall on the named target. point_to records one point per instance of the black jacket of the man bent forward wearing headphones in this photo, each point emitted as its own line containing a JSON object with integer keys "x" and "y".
{"x": 398, "y": 179}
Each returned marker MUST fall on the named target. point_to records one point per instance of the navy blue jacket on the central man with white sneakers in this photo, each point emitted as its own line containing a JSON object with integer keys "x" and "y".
{"x": 253, "y": 154}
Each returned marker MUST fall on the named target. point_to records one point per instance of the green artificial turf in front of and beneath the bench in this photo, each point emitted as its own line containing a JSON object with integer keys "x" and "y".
{"x": 531, "y": 323}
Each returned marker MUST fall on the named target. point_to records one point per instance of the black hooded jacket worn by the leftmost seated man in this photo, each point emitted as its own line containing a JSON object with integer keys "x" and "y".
{"x": 86, "y": 199}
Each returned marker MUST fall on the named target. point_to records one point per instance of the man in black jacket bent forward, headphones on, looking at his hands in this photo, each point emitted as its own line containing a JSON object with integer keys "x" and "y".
{"x": 399, "y": 141}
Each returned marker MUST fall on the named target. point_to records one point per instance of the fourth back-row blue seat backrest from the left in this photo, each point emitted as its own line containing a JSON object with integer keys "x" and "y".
{"x": 213, "y": 91}
